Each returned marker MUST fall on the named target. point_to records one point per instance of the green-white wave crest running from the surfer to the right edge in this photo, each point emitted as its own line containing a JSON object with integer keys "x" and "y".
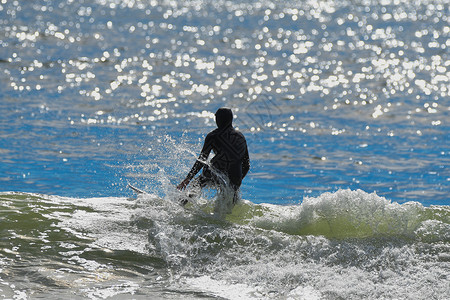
{"x": 350, "y": 214}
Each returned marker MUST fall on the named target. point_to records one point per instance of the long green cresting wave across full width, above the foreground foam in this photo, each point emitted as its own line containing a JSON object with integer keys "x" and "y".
{"x": 341, "y": 214}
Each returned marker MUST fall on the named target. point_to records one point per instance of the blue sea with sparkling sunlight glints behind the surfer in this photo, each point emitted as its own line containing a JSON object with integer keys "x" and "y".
{"x": 330, "y": 94}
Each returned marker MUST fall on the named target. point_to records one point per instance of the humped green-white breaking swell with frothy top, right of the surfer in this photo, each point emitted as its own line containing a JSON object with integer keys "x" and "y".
{"x": 343, "y": 214}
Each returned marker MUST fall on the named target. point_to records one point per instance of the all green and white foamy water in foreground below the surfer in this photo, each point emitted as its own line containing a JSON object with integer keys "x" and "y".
{"x": 341, "y": 245}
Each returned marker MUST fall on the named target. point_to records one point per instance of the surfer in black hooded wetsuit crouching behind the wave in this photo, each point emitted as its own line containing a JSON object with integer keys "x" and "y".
{"x": 231, "y": 156}
